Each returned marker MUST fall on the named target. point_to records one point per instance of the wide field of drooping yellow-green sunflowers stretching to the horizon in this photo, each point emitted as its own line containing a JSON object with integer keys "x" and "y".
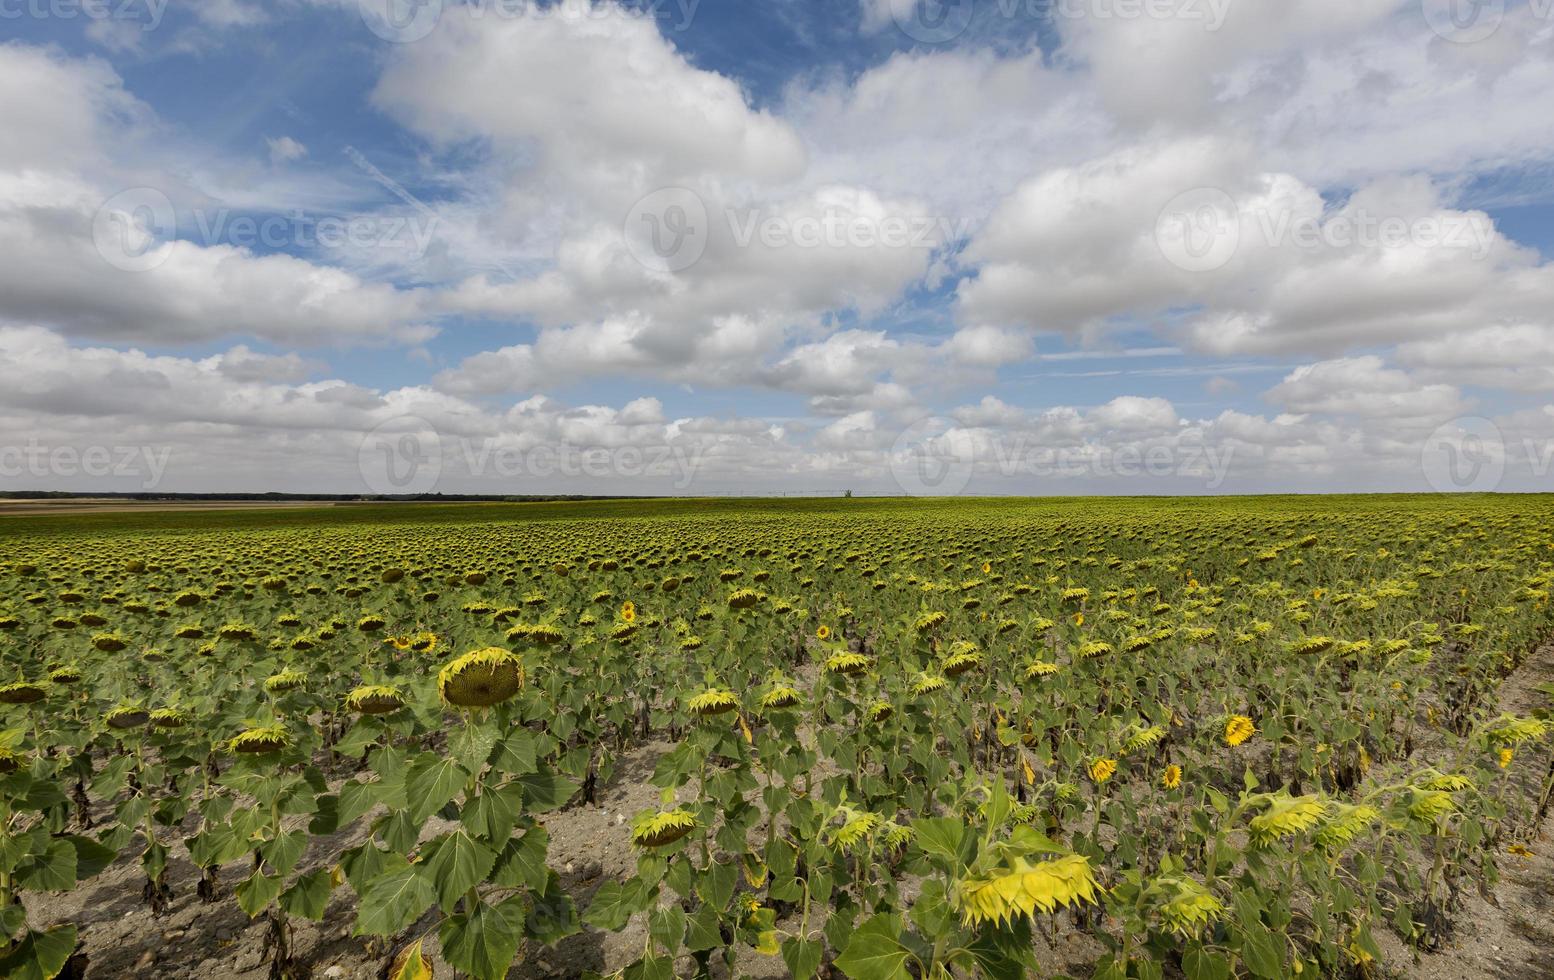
{"x": 871, "y": 740}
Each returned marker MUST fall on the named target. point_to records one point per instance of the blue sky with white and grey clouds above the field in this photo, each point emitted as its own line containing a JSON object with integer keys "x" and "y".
{"x": 781, "y": 248}
